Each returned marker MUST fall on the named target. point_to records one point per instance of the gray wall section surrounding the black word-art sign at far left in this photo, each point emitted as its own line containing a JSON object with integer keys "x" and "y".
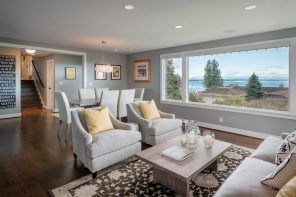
{"x": 17, "y": 54}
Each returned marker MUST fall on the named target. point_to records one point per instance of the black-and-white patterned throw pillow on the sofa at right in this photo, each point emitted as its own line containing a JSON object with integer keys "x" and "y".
{"x": 285, "y": 148}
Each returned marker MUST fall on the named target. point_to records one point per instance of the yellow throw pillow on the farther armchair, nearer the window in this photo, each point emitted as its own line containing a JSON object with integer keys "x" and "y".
{"x": 149, "y": 110}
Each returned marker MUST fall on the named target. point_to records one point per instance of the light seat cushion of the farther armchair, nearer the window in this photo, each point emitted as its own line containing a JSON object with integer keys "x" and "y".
{"x": 163, "y": 125}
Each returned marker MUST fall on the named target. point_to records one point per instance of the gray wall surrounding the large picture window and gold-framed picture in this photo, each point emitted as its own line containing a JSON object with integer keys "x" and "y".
{"x": 235, "y": 120}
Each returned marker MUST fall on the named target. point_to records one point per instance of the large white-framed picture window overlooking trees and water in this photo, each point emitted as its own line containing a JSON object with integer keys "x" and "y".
{"x": 255, "y": 78}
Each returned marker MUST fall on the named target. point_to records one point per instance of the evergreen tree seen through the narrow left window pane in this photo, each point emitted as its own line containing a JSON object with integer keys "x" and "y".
{"x": 173, "y": 86}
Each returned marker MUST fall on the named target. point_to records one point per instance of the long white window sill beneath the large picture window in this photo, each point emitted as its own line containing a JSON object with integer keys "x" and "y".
{"x": 241, "y": 110}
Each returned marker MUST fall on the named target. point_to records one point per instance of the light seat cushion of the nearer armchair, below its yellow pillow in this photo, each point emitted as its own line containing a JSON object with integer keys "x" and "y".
{"x": 112, "y": 140}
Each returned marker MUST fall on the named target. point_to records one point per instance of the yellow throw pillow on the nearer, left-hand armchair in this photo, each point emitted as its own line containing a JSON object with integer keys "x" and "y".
{"x": 98, "y": 120}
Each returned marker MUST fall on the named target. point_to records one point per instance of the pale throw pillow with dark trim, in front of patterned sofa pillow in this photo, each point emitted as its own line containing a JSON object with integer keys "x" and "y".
{"x": 282, "y": 173}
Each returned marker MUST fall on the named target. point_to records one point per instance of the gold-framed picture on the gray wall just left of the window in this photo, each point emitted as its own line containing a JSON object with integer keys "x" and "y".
{"x": 142, "y": 70}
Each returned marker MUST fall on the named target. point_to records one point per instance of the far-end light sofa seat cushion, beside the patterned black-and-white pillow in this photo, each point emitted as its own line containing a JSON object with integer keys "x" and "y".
{"x": 267, "y": 149}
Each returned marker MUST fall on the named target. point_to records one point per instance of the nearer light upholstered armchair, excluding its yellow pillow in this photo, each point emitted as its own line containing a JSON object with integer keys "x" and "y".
{"x": 106, "y": 148}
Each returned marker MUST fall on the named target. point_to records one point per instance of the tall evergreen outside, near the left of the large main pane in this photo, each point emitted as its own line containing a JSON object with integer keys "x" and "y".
{"x": 212, "y": 77}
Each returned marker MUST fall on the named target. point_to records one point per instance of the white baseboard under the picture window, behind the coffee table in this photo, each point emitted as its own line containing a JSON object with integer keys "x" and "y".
{"x": 235, "y": 130}
